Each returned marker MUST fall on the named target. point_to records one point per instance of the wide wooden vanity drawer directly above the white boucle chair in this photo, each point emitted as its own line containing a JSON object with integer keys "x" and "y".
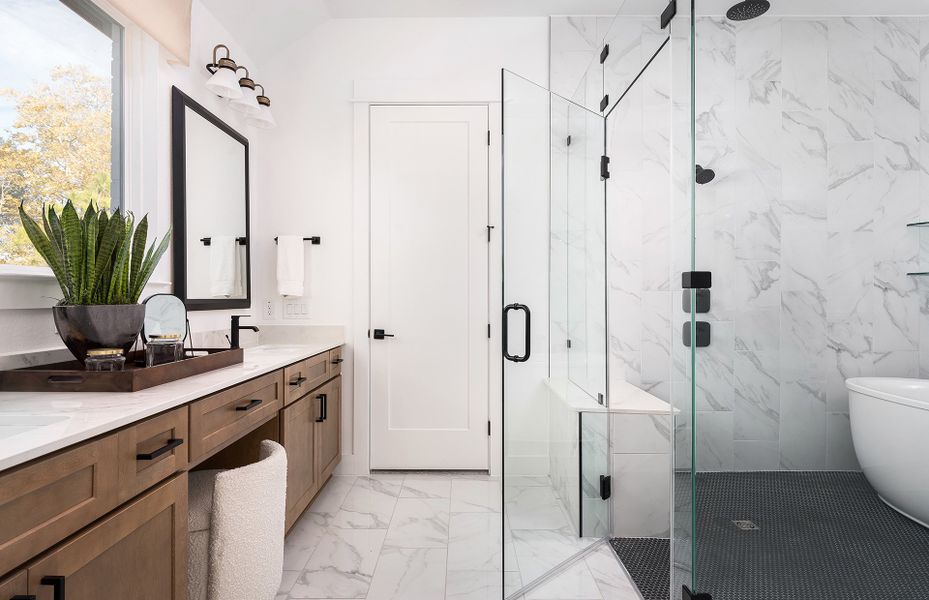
{"x": 217, "y": 420}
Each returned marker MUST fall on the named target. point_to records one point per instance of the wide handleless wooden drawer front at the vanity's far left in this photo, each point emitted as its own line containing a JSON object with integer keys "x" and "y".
{"x": 43, "y": 503}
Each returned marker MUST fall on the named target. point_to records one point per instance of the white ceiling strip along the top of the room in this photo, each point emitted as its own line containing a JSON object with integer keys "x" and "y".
{"x": 279, "y": 22}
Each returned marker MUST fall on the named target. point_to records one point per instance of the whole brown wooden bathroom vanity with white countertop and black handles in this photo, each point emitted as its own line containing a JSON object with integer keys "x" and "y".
{"x": 93, "y": 487}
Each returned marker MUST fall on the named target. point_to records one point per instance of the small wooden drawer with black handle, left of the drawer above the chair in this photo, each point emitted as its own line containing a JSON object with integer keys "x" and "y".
{"x": 151, "y": 451}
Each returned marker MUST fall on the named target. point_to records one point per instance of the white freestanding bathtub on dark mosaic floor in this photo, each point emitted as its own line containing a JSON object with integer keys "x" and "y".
{"x": 890, "y": 432}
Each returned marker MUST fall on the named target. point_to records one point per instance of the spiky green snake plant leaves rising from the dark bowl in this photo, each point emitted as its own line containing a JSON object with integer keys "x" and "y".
{"x": 99, "y": 258}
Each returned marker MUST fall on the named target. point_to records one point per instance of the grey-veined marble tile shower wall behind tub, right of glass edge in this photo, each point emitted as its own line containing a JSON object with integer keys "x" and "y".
{"x": 818, "y": 130}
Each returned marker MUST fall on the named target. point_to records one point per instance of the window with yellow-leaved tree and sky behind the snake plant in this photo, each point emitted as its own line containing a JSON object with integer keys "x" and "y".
{"x": 60, "y": 113}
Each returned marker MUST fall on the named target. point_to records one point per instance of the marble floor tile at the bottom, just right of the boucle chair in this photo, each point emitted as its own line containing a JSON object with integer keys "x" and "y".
{"x": 342, "y": 565}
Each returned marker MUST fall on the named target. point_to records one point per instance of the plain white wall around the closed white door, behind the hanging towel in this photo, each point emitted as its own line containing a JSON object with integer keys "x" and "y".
{"x": 306, "y": 173}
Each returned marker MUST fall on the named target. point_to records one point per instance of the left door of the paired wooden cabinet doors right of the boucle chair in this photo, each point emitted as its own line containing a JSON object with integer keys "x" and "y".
{"x": 298, "y": 436}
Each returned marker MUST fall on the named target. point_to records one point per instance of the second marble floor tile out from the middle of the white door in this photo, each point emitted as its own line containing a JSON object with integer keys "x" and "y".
{"x": 419, "y": 523}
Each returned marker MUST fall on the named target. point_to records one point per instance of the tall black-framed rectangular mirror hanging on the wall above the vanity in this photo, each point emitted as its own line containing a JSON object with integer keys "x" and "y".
{"x": 212, "y": 247}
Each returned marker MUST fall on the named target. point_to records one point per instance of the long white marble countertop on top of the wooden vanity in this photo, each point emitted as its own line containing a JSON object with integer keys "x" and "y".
{"x": 34, "y": 424}
